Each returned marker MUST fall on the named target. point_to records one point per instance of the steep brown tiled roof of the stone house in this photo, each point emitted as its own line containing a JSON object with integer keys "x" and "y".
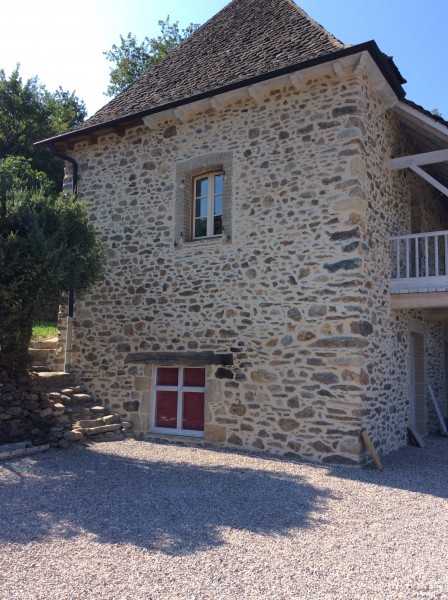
{"x": 245, "y": 39}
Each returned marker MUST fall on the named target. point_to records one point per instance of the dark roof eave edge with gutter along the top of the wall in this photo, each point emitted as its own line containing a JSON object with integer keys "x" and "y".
{"x": 370, "y": 47}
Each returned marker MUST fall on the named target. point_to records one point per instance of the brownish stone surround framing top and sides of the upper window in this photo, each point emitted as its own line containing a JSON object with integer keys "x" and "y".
{"x": 186, "y": 172}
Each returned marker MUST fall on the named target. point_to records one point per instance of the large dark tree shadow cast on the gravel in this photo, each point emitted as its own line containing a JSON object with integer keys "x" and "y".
{"x": 176, "y": 508}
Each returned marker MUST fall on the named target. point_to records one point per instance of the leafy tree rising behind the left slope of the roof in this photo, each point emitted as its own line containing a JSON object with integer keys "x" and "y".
{"x": 132, "y": 59}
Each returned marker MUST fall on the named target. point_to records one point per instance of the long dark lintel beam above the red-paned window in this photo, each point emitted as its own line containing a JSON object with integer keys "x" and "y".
{"x": 187, "y": 359}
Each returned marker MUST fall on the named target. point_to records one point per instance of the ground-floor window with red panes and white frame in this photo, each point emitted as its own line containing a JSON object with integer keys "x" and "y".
{"x": 178, "y": 406}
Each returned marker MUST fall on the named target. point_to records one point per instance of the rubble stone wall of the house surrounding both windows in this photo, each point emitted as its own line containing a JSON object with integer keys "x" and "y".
{"x": 296, "y": 294}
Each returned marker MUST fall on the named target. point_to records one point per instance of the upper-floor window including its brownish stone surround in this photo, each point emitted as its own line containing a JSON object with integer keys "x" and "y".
{"x": 203, "y": 206}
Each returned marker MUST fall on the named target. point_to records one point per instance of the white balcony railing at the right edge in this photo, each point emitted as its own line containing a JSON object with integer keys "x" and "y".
{"x": 420, "y": 262}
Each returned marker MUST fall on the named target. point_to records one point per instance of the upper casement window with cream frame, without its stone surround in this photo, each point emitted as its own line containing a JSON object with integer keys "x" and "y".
{"x": 207, "y": 205}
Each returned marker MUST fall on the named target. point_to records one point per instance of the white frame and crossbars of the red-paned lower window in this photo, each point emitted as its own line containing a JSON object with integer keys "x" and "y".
{"x": 179, "y": 388}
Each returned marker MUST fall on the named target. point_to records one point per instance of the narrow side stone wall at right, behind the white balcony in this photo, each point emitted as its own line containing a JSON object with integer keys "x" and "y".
{"x": 390, "y": 196}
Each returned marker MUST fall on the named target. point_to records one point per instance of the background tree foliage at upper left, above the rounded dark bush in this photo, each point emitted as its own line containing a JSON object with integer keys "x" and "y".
{"x": 28, "y": 113}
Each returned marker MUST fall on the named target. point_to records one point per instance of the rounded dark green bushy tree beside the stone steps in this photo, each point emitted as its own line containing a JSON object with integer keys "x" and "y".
{"x": 47, "y": 246}
